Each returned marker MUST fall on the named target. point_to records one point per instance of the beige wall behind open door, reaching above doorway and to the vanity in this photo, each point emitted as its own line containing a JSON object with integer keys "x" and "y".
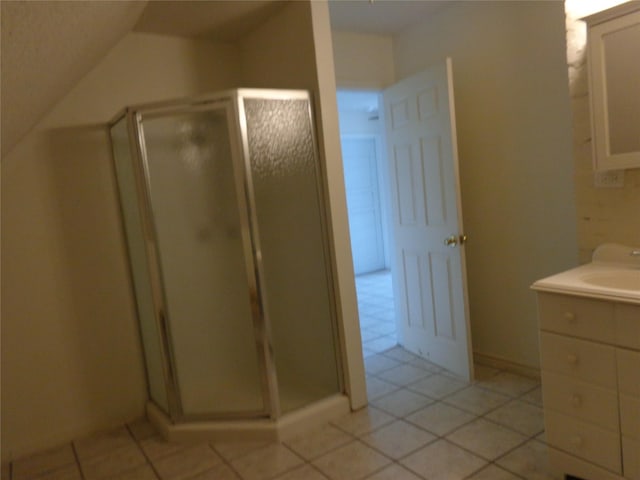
{"x": 514, "y": 135}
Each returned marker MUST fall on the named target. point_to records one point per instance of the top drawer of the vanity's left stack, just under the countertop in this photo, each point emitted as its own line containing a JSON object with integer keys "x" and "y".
{"x": 578, "y": 317}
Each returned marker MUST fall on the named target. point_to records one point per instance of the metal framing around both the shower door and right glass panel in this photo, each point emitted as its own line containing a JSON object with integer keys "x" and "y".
{"x": 232, "y": 102}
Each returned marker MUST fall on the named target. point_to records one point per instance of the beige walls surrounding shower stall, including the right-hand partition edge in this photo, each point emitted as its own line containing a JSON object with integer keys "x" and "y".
{"x": 71, "y": 359}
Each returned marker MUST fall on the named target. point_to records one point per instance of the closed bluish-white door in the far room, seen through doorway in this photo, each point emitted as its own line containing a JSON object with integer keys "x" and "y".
{"x": 363, "y": 202}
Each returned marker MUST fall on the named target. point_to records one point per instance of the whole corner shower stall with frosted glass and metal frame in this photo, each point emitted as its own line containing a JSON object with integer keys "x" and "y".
{"x": 222, "y": 202}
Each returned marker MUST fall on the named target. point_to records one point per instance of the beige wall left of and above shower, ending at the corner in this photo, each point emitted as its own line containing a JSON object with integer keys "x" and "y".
{"x": 71, "y": 359}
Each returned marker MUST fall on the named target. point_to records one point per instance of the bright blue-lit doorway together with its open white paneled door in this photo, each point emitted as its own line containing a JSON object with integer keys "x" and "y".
{"x": 405, "y": 216}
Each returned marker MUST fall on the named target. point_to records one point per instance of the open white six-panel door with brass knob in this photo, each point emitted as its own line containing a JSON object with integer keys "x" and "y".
{"x": 429, "y": 271}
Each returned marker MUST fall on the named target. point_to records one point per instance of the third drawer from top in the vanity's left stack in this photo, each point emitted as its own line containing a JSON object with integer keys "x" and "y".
{"x": 582, "y": 400}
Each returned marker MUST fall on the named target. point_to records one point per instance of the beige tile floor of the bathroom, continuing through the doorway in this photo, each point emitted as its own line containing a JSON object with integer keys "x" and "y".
{"x": 421, "y": 423}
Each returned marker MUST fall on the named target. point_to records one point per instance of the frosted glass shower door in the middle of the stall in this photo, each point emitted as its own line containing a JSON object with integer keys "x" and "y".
{"x": 193, "y": 188}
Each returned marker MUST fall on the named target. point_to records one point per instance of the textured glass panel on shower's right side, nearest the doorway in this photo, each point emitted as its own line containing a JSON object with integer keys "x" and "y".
{"x": 286, "y": 196}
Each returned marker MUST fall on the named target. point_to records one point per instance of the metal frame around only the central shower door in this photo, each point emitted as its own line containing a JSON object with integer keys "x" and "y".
{"x": 136, "y": 117}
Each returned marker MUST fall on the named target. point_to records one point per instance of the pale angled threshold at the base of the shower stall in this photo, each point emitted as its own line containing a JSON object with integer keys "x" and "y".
{"x": 287, "y": 426}
